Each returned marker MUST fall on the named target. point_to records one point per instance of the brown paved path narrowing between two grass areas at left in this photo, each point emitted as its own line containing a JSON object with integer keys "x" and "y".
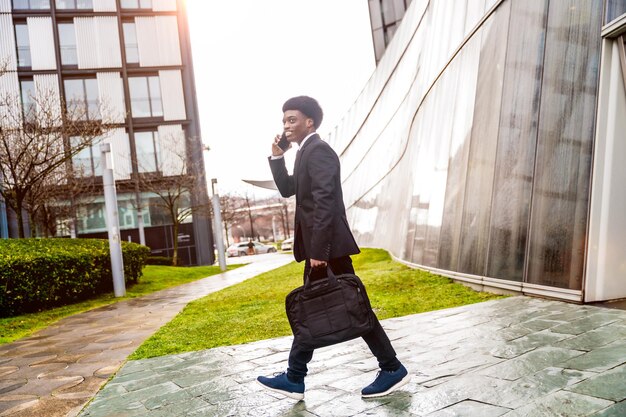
{"x": 56, "y": 371}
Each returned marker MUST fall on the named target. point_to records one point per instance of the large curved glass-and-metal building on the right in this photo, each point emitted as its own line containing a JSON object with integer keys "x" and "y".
{"x": 487, "y": 146}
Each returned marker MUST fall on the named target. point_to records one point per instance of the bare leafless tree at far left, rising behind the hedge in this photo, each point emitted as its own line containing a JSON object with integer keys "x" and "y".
{"x": 39, "y": 135}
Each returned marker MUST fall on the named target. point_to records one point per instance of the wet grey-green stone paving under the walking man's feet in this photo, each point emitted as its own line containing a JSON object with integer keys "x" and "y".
{"x": 513, "y": 357}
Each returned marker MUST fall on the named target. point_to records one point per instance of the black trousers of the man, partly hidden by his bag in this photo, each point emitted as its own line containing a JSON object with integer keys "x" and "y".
{"x": 376, "y": 340}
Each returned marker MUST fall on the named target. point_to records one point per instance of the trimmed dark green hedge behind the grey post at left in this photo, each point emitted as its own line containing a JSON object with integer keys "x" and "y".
{"x": 37, "y": 274}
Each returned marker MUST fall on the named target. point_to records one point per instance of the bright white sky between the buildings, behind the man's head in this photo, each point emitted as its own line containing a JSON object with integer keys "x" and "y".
{"x": 251, "y": 55}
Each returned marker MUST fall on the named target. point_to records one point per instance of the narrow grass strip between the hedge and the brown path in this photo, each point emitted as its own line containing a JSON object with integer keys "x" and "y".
{"x": 154, "y": 278}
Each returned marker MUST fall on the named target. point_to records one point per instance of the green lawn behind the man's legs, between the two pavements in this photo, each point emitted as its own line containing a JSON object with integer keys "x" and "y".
{"x": 254, "y": 310}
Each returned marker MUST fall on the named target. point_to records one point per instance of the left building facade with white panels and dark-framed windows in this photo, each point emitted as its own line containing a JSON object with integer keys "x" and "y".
{"x": 128, "y": 61}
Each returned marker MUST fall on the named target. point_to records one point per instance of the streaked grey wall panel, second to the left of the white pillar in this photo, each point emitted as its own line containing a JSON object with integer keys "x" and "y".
{"x": 517, "y": 140}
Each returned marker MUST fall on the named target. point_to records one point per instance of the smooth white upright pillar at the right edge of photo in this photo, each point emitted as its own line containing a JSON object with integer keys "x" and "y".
{"x": 607, "y": 222}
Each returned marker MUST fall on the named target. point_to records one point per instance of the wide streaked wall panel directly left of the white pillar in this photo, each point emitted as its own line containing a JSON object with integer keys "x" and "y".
{"x": 564, "y": 145}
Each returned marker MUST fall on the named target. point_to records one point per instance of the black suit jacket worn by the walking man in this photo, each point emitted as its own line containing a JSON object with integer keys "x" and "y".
{"x": 321, "y": 228}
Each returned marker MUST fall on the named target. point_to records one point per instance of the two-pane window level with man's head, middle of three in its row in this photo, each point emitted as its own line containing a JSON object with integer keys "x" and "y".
{"x": 81, "y": 98}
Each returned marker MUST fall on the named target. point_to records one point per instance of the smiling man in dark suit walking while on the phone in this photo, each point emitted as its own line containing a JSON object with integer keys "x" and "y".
{"x": 322, "y": 238}
